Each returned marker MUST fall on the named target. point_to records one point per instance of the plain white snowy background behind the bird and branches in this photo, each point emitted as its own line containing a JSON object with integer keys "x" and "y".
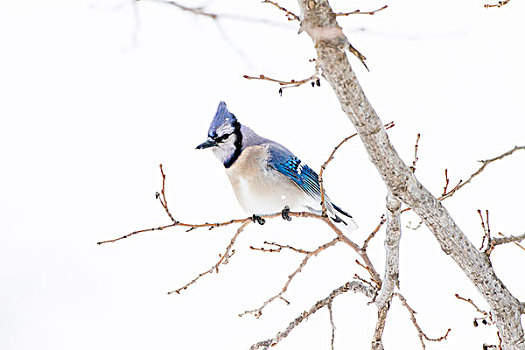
{"x": 95, "y": 94}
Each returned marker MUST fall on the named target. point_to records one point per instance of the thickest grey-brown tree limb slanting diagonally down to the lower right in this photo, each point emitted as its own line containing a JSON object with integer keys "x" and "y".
{"x": 320, "y": 23}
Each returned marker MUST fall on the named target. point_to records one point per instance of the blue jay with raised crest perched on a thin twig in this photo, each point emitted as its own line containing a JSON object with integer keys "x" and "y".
{"x": 266, "y": 177}
